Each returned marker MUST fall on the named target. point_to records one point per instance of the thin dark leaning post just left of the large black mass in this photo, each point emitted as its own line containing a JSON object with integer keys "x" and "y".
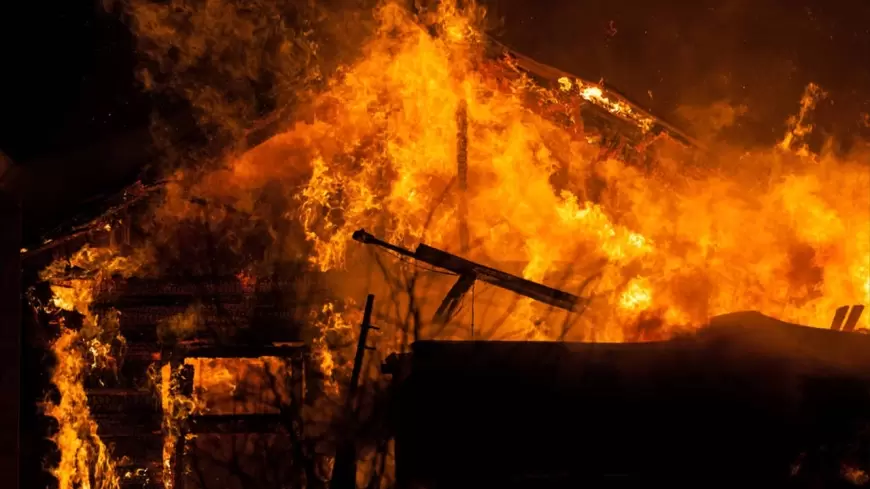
{"x": 344, "y": 473}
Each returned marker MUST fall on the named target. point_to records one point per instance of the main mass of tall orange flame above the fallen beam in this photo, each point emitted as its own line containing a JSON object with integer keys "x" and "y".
{"x": 782, "y": 231}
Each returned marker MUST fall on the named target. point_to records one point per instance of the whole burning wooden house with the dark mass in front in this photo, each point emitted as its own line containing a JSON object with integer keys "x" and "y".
{"x": 156, "y": 331}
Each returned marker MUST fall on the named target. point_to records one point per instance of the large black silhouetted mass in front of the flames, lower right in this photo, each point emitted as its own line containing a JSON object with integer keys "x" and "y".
{"x": 748, "y": 401}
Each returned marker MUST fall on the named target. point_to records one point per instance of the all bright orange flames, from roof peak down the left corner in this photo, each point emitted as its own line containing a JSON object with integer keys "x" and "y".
{"x": 782, "y": 231}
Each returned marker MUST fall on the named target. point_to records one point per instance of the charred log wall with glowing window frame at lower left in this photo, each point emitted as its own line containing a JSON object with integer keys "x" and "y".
{"x": 155, "y": 399}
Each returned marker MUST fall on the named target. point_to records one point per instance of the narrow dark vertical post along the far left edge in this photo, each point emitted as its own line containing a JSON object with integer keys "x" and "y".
{"x": 10, "y": 339}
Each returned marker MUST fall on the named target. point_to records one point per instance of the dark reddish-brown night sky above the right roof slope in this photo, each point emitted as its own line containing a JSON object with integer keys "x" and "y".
{"x": 760, "y": 53}
